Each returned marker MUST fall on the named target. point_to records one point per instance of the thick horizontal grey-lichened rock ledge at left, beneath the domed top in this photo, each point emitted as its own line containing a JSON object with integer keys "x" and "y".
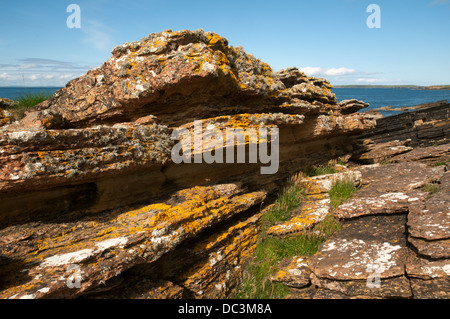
{"x": 31, "y": 158}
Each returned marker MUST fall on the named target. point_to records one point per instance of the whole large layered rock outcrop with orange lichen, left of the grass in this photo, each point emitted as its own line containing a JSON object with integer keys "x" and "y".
{"x": 88, "y": 182}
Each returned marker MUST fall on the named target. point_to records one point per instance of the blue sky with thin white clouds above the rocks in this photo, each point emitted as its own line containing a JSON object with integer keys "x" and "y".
{"x": 325, "y": 38}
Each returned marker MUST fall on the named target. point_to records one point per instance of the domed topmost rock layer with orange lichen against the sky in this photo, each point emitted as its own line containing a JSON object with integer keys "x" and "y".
{"x": 178, "y": 77}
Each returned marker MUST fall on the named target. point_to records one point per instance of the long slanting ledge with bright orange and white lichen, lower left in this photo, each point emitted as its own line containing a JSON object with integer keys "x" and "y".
{"x": 105, "y": 247}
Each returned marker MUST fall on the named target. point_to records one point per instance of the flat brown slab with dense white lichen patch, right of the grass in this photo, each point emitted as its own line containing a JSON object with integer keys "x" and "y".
{"x": 369, "y": 245}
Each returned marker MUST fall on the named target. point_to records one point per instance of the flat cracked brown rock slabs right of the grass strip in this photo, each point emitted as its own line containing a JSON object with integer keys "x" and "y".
{"x": 393, "y": 242}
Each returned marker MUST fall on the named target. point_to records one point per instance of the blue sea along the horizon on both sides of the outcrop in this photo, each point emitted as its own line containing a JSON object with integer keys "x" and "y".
{"x": 376, "y": 97}
